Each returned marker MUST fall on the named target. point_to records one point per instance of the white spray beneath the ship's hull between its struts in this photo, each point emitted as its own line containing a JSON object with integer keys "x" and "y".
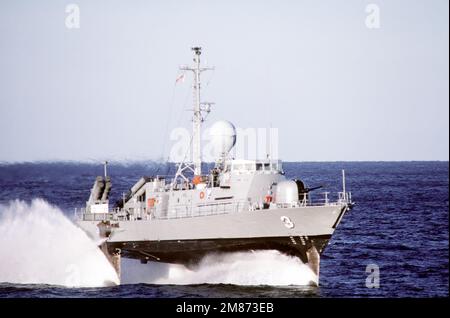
{"x": 249, "y": 268}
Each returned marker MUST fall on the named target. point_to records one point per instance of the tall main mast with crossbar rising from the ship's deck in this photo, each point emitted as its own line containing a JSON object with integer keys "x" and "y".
{"x": 197, "y": 118}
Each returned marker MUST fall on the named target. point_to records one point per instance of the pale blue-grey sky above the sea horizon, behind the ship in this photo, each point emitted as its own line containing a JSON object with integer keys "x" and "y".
{"x": 335, "y": 89}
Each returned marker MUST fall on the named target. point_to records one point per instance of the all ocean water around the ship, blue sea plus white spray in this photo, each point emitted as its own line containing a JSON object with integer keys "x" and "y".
{"x": 399, "y": 225}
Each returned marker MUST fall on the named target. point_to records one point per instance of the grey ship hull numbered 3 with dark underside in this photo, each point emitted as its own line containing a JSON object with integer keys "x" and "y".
{"x": 303, "y": 232}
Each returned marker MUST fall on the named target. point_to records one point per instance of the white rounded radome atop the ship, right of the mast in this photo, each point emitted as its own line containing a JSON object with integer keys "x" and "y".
{"x": 223, "y": 137}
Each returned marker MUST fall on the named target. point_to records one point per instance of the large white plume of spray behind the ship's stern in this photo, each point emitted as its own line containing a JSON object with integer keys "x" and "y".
{"x": 39, "y": 245}
